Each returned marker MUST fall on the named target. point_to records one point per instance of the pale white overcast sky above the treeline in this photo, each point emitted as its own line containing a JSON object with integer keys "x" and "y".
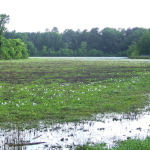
{"x": 37, "y": 15}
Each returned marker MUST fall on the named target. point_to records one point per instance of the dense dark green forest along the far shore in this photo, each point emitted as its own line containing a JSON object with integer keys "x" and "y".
{"x": 107, "y": 42}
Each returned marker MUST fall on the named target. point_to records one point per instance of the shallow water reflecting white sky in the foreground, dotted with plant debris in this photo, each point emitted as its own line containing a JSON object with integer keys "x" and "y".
{"x": 108, "y": 128}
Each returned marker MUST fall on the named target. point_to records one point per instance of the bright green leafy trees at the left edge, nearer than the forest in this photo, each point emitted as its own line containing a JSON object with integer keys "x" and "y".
{"x": 11, "y": 48}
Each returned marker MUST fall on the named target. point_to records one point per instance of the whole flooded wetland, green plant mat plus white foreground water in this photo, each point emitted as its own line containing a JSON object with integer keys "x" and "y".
{"x": 70, "y": 91}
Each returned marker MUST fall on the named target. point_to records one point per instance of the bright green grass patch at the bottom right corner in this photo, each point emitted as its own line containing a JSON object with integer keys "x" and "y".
{"x": 123, "y": 145}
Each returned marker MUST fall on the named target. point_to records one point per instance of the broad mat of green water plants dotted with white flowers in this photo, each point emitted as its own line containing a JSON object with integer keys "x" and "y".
{"x": 69, "y": 90}
